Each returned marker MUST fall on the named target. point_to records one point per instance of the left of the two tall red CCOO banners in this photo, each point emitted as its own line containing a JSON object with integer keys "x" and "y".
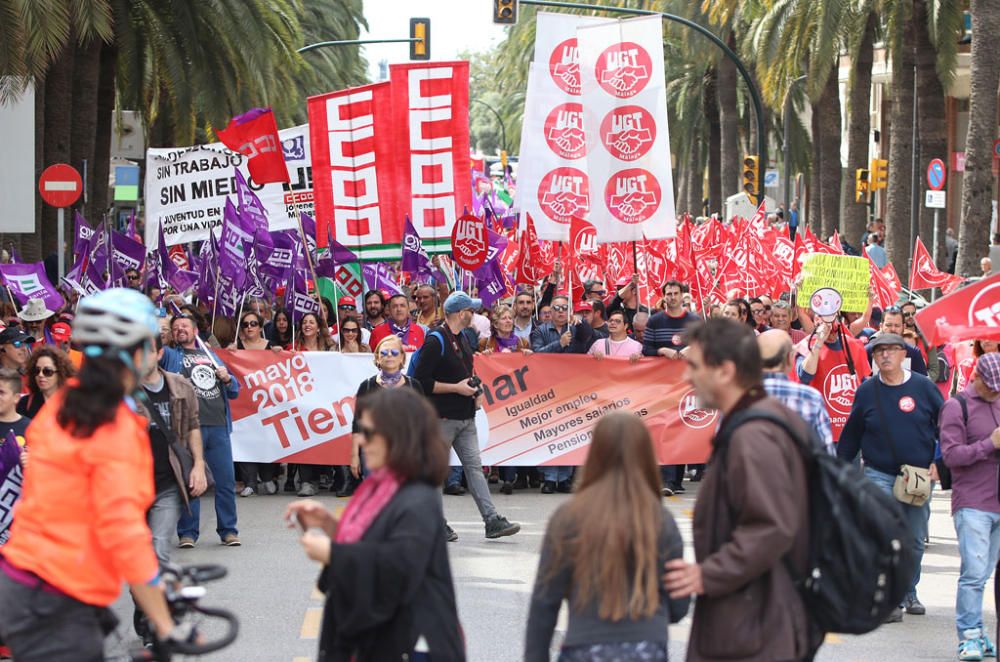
{"x": 355, "y": 170}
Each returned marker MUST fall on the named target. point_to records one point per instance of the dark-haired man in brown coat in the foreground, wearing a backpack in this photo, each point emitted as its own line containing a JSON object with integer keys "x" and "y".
{"x": 748, "y": 536}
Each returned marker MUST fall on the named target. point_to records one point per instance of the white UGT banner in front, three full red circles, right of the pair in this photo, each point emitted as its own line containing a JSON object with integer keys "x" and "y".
{"x": 625, "y": 115}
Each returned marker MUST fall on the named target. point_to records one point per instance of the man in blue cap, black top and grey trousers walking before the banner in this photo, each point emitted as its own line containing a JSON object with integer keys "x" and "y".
{"x": 445, "y": 371}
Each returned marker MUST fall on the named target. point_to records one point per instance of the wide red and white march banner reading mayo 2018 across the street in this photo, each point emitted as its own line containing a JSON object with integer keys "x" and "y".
{"x": 540, "y": 410}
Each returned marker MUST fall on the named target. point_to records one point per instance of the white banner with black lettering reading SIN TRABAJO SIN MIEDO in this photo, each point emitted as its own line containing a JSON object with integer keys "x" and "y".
{"x": 187, "y": 187}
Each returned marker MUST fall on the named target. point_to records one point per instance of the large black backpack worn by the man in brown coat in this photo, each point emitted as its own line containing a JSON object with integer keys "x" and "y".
{"x": 860, "y": 565}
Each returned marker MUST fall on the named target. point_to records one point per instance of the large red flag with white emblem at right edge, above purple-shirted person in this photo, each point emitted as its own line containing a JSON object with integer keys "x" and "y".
{"x": 972, "y": 313}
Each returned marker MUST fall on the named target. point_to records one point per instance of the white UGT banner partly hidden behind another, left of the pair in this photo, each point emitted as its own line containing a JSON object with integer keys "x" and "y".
{"x": 553, "y": 185}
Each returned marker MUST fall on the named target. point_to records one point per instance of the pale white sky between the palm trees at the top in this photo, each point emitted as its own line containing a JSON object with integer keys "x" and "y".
{"x": 456, "y": 25}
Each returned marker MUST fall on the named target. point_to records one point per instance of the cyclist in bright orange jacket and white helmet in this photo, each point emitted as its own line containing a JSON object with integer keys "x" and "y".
{"x": 81, "y": 524}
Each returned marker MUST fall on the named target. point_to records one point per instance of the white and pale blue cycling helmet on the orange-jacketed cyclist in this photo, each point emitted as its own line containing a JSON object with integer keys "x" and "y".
{"x": 115, "y": 318}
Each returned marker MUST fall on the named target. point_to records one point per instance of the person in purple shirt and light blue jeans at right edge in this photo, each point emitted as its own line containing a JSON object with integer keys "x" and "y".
{"x": 970, "y": 441}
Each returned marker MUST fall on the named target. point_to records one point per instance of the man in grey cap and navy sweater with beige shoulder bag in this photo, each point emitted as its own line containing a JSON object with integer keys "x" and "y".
{"x": 893, "y": 423}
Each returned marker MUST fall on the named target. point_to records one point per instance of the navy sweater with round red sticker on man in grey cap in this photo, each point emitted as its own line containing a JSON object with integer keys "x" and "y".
{"x": 910, "y": 412}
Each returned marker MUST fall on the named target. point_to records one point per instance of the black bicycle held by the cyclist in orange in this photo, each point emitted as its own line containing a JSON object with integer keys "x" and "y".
{"x": 183, "y": 590}
